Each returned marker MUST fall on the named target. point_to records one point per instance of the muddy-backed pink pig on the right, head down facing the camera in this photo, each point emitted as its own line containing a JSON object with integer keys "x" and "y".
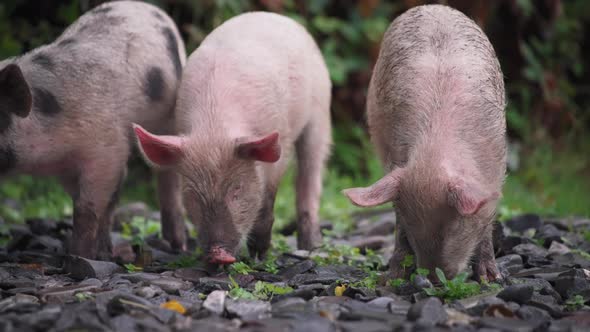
{"x": 435, "y": 108}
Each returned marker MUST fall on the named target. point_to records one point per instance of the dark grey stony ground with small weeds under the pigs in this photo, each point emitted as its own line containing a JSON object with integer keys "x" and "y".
{"x": 544, "y": 263}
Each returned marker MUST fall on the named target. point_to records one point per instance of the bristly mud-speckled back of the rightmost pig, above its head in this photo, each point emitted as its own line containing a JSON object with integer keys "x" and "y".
{"x": 437, "y": 80}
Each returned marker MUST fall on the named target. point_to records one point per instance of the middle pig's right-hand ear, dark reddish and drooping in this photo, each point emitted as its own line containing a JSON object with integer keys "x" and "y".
{"x": 265, "y": 149}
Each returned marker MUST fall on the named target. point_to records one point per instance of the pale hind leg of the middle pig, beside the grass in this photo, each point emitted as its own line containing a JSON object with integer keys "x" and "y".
{"x": 312, "y": 151}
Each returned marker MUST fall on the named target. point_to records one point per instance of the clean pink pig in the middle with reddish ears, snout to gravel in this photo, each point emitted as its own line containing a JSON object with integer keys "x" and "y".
{"x": 255, "y": 90}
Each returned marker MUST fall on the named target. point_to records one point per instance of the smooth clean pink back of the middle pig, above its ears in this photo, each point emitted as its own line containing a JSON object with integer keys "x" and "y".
{"x": 256, "y": 73}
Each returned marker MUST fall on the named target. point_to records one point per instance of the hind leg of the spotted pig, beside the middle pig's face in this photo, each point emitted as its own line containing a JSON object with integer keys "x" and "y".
{"x": 170, "y": 197}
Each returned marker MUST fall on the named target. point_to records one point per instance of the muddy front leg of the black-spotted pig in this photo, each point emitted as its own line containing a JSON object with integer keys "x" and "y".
{"x": 96, "y": 186}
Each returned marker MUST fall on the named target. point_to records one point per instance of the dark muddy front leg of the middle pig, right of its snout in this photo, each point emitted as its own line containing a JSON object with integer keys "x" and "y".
{"x": 260, "y": 235}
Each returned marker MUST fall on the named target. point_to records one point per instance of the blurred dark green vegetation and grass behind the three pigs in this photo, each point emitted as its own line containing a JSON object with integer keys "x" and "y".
{"x": 543, "y": 49}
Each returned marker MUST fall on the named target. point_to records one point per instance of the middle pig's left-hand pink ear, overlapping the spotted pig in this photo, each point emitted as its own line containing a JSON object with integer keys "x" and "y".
{"x": 159, "y": 150}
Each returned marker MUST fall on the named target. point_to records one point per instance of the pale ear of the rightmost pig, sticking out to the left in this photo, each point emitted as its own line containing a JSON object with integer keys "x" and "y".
{"x": 382, "y": 191}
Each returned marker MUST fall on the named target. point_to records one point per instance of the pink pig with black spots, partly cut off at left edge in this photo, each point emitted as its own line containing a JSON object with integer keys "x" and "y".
{"x": 66, "y": 110}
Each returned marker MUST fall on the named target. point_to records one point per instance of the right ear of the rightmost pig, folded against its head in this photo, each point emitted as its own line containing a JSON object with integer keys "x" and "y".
{"x": 467, "y": 197}
